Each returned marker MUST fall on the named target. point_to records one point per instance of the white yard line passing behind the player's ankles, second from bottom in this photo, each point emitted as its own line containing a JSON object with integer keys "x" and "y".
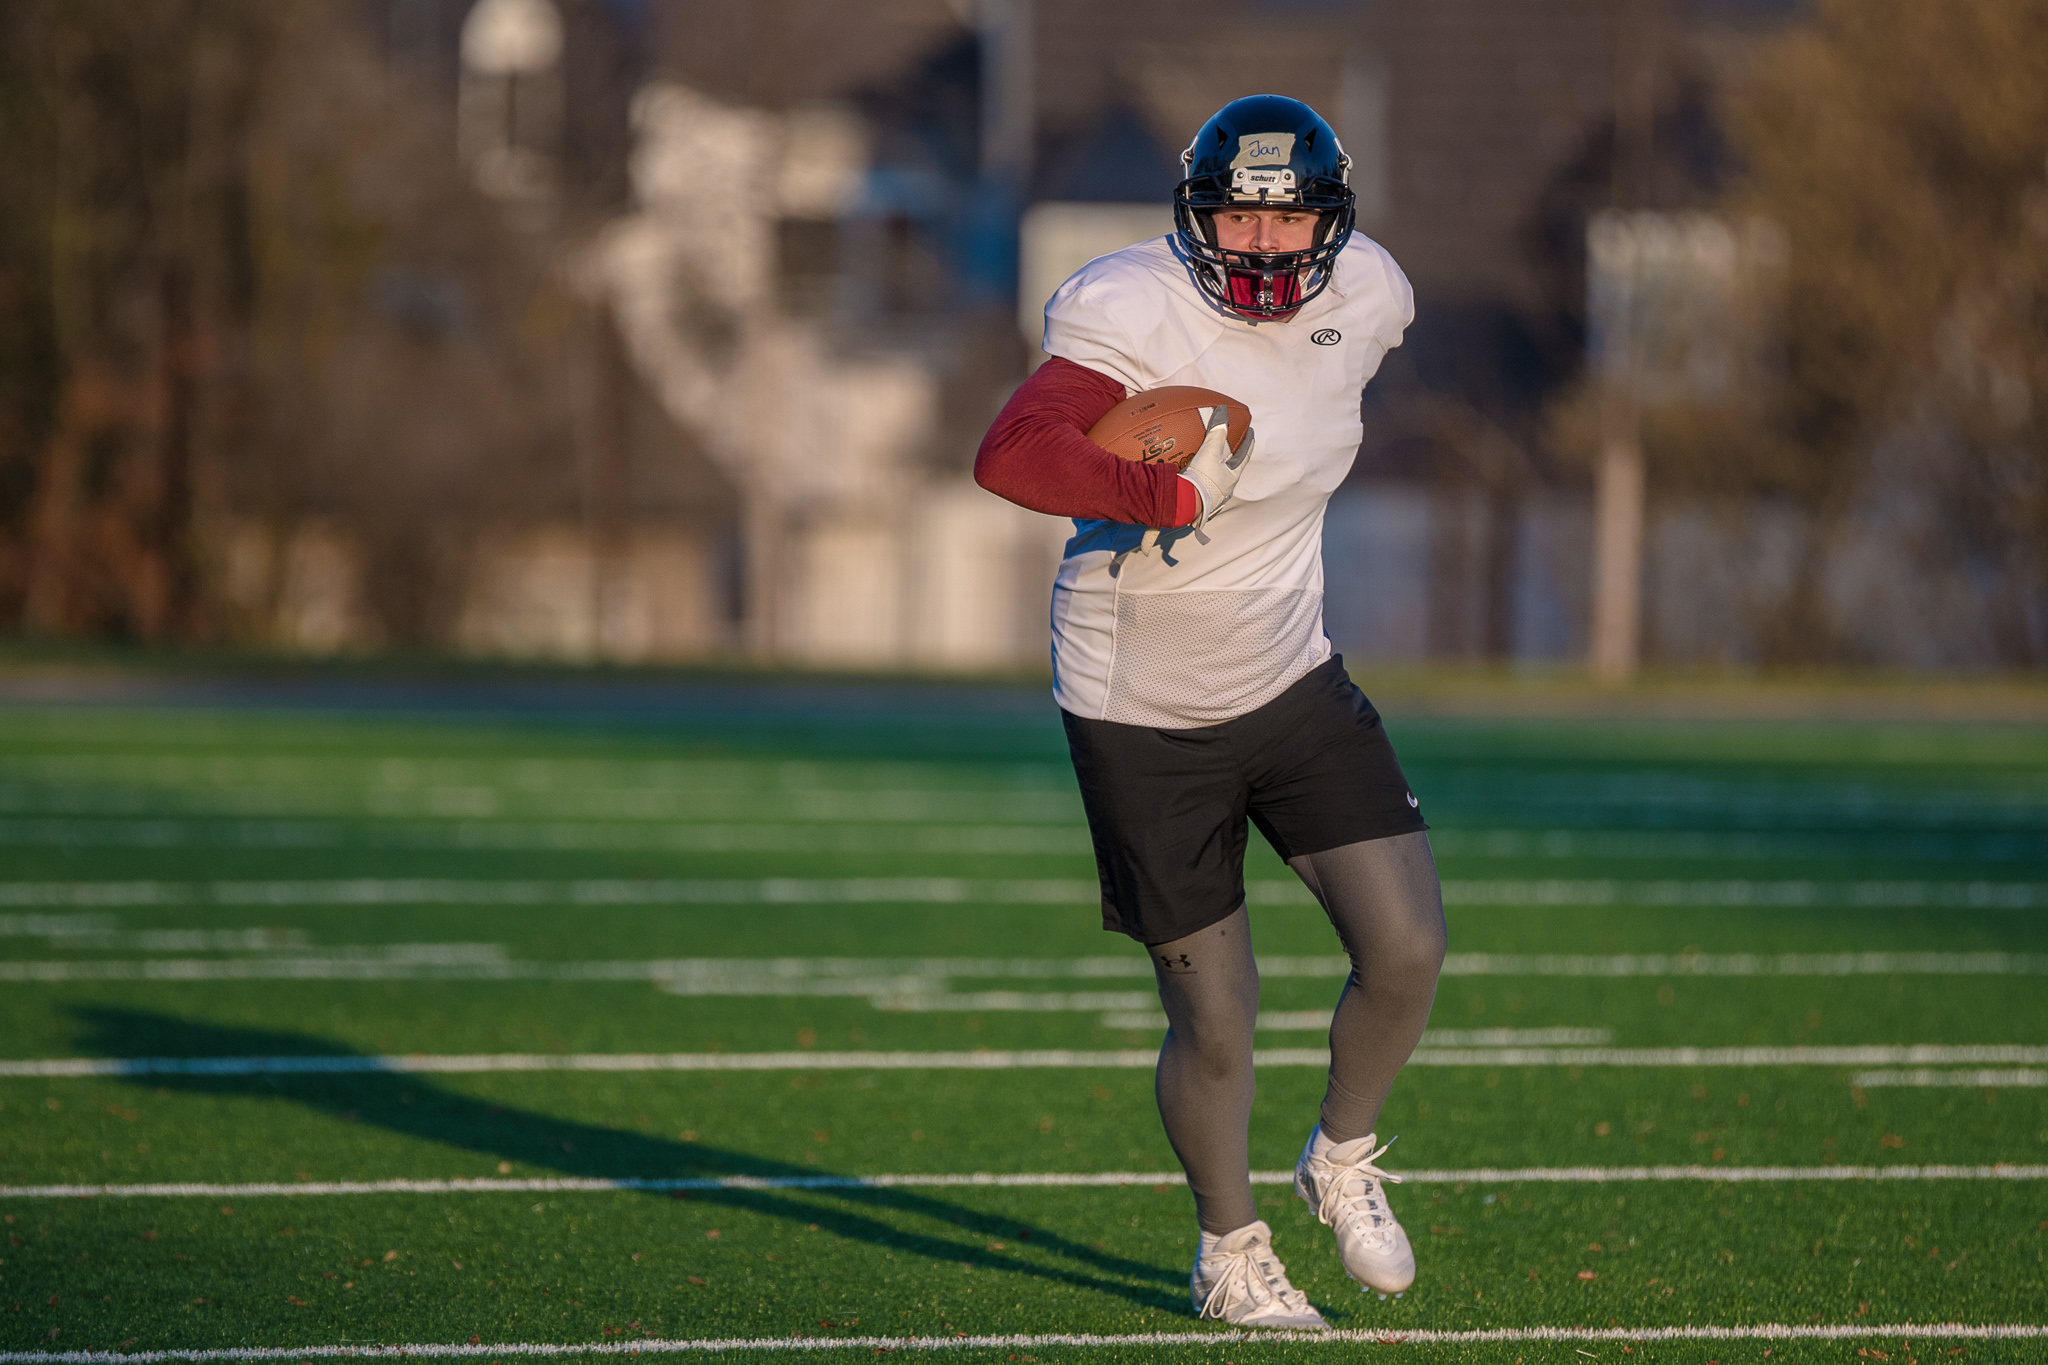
{"x": 1046, "y": 1180}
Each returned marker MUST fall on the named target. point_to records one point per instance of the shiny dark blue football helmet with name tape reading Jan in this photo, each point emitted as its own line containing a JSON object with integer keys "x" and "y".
{"x": 1265, "y": 152}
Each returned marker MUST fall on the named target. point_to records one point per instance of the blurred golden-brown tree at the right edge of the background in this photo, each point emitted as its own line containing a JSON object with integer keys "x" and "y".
{"x": 1904, "y": 148}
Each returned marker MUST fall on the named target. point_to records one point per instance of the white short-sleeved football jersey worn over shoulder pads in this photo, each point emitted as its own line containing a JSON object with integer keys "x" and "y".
{"x": 1179, "y": 629}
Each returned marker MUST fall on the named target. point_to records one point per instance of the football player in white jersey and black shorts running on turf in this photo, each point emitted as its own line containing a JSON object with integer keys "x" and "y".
{"x": 1195, "y": 678}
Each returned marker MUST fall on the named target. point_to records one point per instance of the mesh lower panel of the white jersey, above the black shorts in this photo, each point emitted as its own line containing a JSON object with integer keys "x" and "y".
{"x": 1187, "y": 660}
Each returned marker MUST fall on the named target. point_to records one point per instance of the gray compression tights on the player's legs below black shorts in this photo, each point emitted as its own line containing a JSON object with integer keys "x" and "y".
{"x": 1390, "y": 914}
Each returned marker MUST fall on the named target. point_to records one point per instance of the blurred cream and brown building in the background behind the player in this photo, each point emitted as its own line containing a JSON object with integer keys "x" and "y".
{"x": 818, "y": 236}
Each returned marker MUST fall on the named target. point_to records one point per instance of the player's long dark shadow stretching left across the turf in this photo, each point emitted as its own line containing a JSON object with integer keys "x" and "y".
{"x": 417, "y": 1108}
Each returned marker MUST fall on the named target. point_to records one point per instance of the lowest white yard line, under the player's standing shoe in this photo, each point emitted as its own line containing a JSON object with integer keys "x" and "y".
{"x": 1025, "y": 1341}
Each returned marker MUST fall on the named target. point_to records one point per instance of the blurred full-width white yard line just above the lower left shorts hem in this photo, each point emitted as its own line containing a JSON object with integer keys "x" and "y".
{"x": 1005, "y": 891}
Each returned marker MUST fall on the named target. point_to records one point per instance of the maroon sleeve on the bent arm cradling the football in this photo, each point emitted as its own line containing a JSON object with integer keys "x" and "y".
{"x": 1039, "y": 457}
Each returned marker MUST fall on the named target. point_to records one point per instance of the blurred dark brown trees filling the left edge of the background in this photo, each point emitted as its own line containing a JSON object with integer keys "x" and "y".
{"x": 247, "y": 288}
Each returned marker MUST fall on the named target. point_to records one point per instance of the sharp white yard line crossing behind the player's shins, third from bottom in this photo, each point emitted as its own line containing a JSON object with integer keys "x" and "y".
{"x": 419, "y": 1063}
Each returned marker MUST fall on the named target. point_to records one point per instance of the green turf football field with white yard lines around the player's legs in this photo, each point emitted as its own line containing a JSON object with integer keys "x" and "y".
{"x": 1746, "y": 1024}
